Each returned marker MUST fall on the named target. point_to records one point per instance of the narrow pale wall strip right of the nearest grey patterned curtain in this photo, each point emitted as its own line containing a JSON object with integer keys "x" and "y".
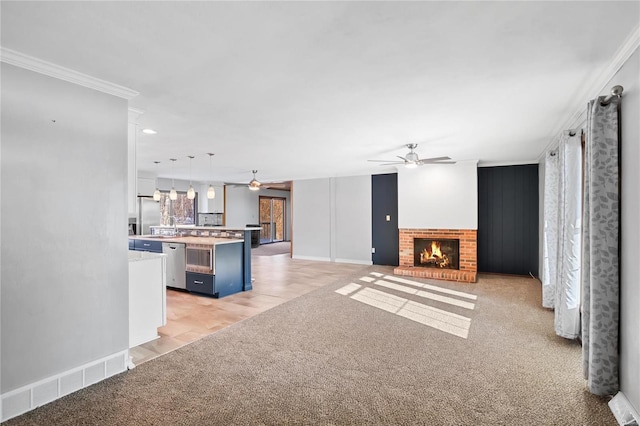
{"x": 629, "y": 78}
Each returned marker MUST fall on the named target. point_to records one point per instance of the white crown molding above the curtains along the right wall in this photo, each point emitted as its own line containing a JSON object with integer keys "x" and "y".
{"x": 594, "y": 87}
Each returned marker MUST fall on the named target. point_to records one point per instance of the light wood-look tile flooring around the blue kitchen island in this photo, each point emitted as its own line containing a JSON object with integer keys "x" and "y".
{"x": 277, "y": 279}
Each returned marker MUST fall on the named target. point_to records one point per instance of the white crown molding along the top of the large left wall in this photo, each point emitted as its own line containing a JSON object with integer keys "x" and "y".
{"x": 31, "y": 63}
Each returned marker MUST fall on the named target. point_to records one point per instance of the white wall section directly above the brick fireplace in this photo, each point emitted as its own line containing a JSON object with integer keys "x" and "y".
{"x": 440, "y": 196}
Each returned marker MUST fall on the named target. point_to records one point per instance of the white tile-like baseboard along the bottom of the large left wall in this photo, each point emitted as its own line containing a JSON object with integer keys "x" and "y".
{"x": 33, "y": 395}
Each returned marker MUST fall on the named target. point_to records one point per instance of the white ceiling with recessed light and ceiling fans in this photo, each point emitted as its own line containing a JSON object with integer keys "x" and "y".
{"x": 314, "y": 89}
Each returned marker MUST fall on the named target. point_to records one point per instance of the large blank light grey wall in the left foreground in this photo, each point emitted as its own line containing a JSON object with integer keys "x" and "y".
{"x": 64, "y": 271}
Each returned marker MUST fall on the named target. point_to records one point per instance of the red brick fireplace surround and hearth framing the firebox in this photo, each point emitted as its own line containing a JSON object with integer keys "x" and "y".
{"x": 467, "y": 263}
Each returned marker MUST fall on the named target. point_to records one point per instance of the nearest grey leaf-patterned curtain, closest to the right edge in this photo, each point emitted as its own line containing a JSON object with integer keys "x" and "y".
{"x": 600, "y": 258}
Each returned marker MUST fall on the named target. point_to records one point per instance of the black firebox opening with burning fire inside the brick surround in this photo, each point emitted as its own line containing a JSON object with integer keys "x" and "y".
{"x": 436, "y": 253}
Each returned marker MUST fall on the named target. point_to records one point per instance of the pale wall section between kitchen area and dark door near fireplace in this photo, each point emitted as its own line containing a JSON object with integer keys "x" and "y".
{"x": 332, "y": 219}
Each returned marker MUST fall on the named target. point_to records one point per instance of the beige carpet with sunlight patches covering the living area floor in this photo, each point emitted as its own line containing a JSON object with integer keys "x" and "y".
{"x": 332, "y": 358}
